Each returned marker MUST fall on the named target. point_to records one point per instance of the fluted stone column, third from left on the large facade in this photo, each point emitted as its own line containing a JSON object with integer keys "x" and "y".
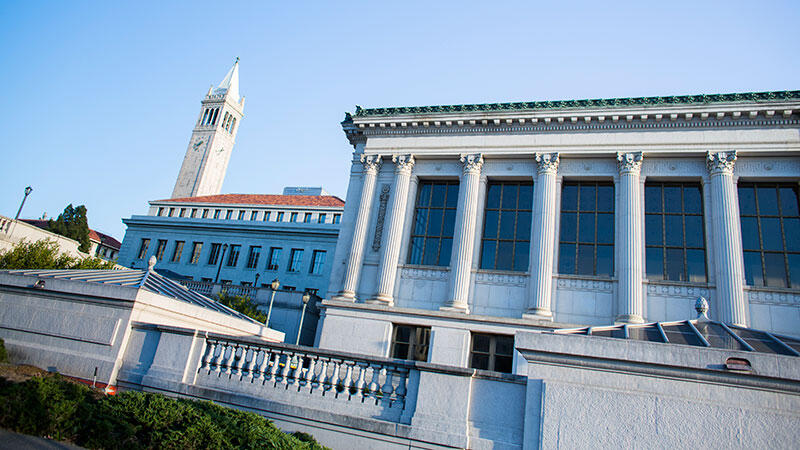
{"x": 464, "y": 239}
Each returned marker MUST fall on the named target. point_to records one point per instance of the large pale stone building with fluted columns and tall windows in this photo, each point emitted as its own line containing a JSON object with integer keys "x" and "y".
{"x": 465, "y": 224}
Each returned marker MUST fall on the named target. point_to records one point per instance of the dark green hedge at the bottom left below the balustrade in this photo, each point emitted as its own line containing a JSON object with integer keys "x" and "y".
{"x": 52, "y": 406}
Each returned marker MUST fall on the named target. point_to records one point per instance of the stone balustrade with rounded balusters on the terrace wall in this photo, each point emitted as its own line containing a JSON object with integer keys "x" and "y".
{"x": 380, "y": 382}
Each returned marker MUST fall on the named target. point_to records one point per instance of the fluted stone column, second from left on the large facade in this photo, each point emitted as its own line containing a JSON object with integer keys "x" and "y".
{"x": 387, "y": 271}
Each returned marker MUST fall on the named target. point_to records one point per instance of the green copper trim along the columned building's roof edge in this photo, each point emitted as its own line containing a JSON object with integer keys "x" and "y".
{"x": 593, "y": 103}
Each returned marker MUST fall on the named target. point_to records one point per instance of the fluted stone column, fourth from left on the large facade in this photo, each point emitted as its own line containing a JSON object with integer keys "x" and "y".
{"x": 543, "y": 238}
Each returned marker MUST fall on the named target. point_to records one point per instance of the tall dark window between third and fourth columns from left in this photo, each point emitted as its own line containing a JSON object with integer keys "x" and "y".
{"x": 507, "y": 226}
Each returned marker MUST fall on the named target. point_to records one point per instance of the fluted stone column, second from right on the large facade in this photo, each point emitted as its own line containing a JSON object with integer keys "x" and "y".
{"x": 631, "y": 240}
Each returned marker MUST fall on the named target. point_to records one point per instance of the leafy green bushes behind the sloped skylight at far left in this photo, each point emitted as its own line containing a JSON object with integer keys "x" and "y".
{"x": 45, "y": 254}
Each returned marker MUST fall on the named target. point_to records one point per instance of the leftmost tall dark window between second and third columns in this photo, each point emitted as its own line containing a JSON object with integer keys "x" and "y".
{"x": 434, "y": 220}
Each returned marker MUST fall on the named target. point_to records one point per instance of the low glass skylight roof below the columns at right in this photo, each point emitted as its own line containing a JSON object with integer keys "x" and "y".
{"x": 697, "y": 333}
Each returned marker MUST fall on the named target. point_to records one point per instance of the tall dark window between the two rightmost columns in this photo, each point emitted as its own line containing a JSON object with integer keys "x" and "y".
{"x": 674, "y": 232}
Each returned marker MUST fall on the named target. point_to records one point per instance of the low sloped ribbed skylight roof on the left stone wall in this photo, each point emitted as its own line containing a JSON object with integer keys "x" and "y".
{"x": 138, "y": 279}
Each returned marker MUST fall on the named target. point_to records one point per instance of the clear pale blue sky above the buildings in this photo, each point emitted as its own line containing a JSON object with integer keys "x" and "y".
{"x": 99, "y": 98}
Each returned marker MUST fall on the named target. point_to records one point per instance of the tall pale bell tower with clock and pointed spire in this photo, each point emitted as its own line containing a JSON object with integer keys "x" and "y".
{"x": 206, "y": 161}
